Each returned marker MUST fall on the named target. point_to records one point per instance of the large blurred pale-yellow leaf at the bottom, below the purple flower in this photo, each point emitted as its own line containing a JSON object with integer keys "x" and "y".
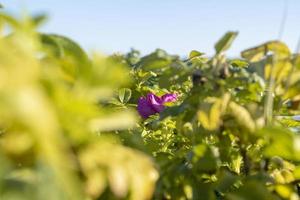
{"x": 128, "y": 171}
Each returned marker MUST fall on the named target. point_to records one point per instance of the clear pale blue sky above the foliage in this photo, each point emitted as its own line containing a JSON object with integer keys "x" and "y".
{"x": 177, "y": 26}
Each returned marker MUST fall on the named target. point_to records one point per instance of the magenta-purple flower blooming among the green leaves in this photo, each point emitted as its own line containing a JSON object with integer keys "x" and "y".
{"x": 153, "y": 104}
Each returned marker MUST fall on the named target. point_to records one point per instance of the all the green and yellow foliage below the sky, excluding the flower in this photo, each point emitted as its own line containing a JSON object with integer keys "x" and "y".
{"x": 69, "y": 129}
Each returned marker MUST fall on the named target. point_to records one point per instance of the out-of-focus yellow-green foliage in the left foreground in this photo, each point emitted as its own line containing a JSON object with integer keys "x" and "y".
{"x": 53, "y": 120}
